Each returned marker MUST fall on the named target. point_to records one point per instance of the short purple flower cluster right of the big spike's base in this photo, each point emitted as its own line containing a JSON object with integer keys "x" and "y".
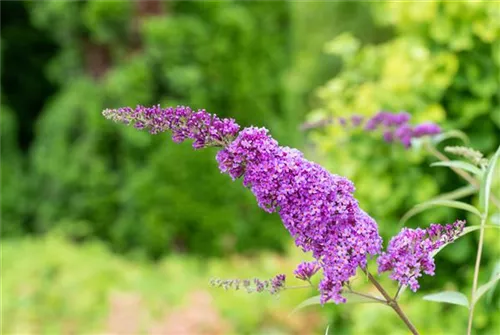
{"x": 411, "y": 252}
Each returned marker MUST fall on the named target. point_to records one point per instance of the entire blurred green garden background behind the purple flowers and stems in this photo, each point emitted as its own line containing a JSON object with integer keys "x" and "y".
{"x": 109, "y": 230}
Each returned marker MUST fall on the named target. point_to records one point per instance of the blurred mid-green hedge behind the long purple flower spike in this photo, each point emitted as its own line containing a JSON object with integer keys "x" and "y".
{"x": 134, "y": 190}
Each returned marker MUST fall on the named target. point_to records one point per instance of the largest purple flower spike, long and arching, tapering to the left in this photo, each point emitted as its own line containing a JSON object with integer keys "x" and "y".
{"x": 317, "y": 208}
